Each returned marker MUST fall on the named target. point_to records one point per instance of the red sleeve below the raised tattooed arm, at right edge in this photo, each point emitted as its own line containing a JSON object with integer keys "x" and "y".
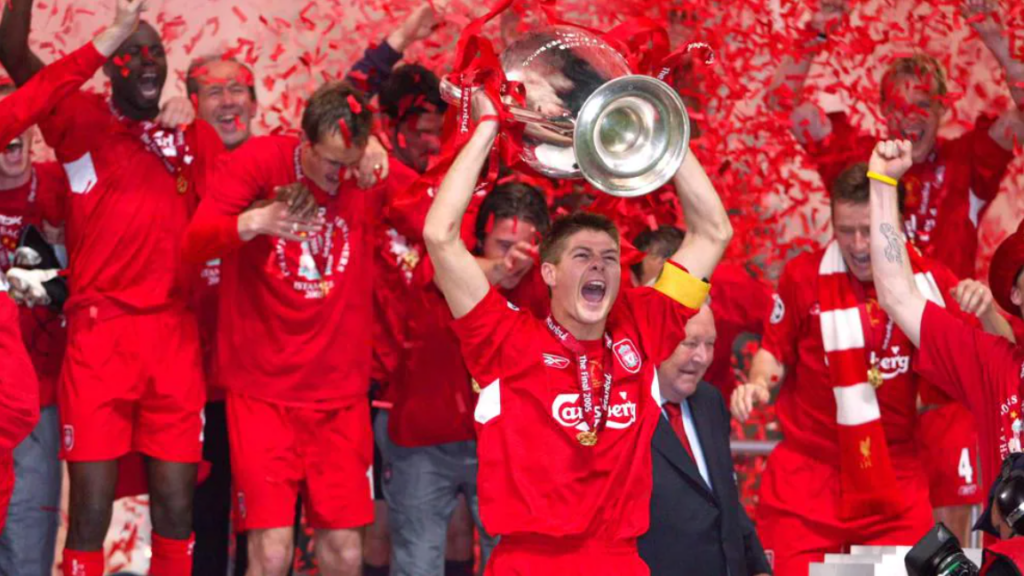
{"x": 967, "y": 364}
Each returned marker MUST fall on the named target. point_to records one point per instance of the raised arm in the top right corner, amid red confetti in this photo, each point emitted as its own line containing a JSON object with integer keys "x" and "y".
{"x": 985, "y": 19}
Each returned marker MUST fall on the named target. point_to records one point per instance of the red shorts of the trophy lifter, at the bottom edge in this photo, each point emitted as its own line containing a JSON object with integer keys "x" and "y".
{"x": 529, "y": 556}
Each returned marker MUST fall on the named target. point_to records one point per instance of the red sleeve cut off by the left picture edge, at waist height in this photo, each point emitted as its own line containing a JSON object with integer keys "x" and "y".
{"x": 19, "y": 388}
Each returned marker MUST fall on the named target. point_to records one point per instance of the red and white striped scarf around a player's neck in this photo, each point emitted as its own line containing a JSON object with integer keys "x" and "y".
{"x": 868, "y": 484}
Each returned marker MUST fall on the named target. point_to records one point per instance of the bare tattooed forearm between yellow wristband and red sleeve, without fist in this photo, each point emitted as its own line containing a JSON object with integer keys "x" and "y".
{"x": 891, "y": 265}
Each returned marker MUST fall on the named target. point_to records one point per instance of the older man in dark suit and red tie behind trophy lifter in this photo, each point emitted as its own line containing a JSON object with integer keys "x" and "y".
{"x": 698, "y": 525}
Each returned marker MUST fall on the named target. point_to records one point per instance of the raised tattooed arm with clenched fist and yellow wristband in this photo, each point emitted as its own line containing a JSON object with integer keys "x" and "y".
{"x": 890, "y": 263}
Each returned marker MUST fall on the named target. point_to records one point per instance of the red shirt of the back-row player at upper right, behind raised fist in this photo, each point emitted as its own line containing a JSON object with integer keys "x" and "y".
{"x": 947, "y": 195}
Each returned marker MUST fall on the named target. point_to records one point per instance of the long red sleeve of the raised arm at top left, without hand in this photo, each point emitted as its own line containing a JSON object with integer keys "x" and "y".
{"x": 49, "y": 89}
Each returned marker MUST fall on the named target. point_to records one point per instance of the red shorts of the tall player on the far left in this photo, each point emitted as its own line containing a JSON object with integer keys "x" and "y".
{"x": 133, "y": 383}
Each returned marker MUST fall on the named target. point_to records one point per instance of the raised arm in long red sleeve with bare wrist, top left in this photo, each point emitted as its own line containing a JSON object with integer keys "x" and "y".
{"x": 32, "y": 102}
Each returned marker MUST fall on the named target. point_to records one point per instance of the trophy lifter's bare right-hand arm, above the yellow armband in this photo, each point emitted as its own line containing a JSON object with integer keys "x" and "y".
{"x": 708, "y": 227}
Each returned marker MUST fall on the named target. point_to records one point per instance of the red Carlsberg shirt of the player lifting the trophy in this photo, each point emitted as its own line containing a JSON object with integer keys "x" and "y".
{"x": 535, "y": 476}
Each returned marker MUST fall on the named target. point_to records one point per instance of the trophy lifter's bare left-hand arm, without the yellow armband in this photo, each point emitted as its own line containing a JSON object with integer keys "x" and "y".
{"x": 456, "y": 271}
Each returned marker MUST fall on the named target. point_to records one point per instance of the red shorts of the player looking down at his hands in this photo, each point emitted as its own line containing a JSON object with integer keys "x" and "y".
{"x": 279, "y": 451}
